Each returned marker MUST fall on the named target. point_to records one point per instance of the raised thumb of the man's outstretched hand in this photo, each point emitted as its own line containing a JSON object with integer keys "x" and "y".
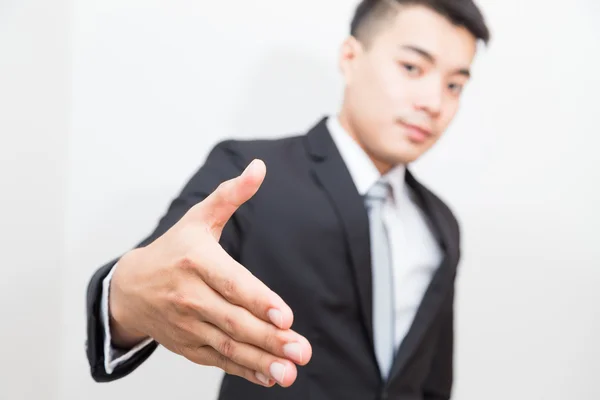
{"x": 219, "y": 206}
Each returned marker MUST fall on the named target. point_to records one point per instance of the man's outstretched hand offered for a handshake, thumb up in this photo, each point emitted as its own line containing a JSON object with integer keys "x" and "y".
{"x": 189, "y": 295}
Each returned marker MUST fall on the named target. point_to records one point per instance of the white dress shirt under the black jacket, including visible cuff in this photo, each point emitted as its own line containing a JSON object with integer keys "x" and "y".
{"x": 415, "y": 251}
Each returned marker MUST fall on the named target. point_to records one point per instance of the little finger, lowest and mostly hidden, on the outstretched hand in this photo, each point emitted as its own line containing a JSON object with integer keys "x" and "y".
{"x": 208, "y": 356}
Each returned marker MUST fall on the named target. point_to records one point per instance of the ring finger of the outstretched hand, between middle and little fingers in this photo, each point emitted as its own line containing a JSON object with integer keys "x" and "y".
{"x": 282, "y": 371}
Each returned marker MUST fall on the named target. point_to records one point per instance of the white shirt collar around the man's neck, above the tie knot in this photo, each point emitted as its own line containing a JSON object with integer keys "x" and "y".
{"x": 361, "y": 168}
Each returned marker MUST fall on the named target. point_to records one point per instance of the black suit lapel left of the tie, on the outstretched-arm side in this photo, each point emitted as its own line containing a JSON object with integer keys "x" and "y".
{"x": 331, "y": 173}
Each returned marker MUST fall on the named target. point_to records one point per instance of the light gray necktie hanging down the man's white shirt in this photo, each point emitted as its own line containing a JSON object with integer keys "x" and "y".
{"x": 383, "y": 298}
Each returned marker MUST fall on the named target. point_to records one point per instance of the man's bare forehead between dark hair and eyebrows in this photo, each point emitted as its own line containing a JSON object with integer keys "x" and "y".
{"x": 422, "y": 27}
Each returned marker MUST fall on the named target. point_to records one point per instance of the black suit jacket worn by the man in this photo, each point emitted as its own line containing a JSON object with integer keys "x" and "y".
{"x": 306, "y": 235}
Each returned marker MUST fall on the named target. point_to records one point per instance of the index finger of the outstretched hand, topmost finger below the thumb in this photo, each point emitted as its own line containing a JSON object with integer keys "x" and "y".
{"x": 240, "y": 287}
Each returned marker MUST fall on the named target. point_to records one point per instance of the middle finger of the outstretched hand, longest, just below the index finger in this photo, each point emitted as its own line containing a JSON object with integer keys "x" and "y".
{"x": 241, "y": 325}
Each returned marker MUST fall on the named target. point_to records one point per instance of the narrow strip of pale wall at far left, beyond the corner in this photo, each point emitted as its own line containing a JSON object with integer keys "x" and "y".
{"x": 34, "y": 127}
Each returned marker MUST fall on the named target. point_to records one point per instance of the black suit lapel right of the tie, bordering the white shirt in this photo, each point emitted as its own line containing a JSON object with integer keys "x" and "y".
{"x": 441, "y": 281}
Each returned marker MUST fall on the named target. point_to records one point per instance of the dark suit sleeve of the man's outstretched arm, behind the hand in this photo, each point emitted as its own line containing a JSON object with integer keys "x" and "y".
{"x": 221, "y": 164}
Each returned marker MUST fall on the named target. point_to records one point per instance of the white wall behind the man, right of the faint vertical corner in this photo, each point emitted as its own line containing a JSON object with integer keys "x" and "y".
{"x": 157, "y": 84}
